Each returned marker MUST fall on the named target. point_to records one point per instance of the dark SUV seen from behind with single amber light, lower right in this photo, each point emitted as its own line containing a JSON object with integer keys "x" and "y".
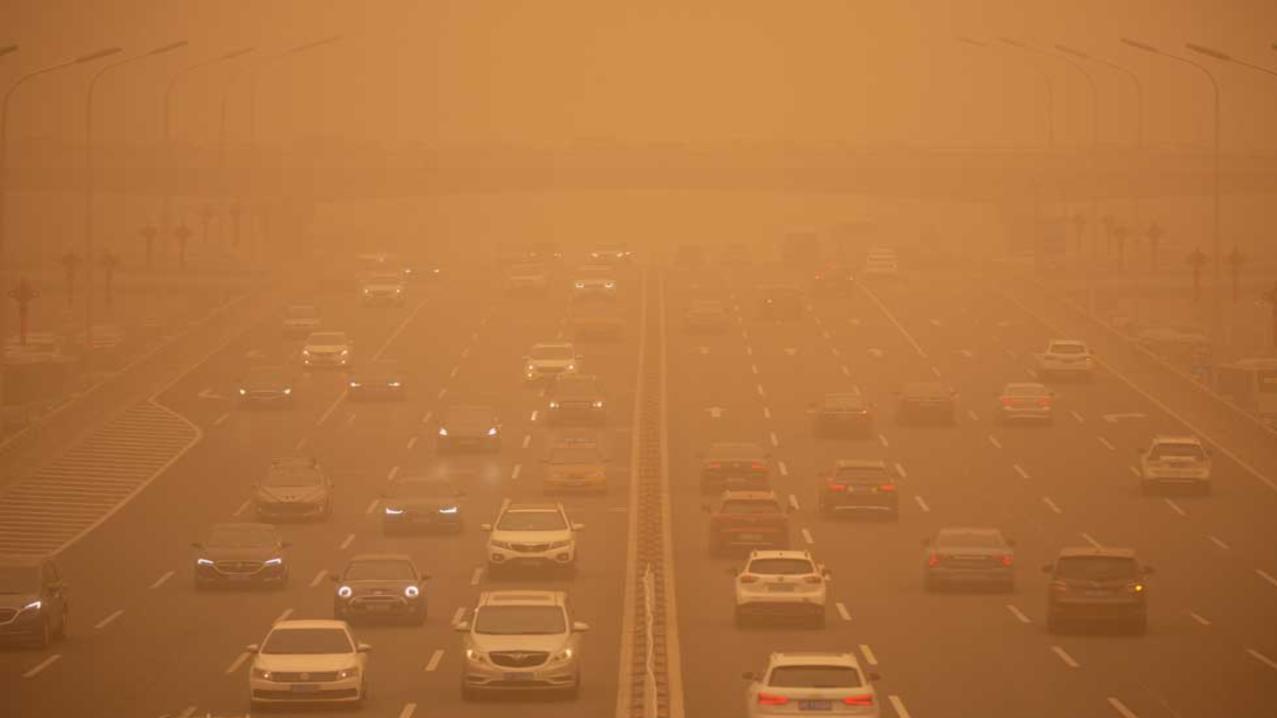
{"x": 1098, "y": 584}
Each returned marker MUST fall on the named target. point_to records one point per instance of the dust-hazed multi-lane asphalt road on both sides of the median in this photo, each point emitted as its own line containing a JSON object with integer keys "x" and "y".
{"x": 145, "y": 643}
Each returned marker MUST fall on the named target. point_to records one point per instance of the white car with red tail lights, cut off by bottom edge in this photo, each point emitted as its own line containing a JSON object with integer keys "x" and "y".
{"x": 810, "y": 683}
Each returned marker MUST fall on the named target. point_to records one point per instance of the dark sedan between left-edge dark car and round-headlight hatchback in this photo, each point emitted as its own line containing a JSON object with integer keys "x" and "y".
{"x": 242, "y": 555}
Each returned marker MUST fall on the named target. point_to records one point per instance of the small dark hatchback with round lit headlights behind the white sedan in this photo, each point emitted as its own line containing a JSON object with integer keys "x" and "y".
{"x": 380, "y": 586}
